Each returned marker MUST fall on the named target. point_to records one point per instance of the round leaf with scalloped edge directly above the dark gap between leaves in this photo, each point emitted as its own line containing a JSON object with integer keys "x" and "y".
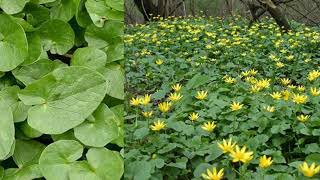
{"x": 57, "y": 40}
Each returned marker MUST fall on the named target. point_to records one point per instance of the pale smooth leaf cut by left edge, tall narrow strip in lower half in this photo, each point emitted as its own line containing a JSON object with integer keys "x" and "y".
{"x": 7, "y": 129}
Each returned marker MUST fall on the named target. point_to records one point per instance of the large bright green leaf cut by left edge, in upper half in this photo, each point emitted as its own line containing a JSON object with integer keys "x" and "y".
{"x": 13, "y": 44}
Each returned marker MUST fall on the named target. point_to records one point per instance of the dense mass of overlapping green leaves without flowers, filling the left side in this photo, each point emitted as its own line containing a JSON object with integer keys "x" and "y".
{"x": 61, "y": 89}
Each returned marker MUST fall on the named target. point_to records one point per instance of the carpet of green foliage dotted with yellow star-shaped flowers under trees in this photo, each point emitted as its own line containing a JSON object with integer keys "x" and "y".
{"x": 215, "y": 99}
